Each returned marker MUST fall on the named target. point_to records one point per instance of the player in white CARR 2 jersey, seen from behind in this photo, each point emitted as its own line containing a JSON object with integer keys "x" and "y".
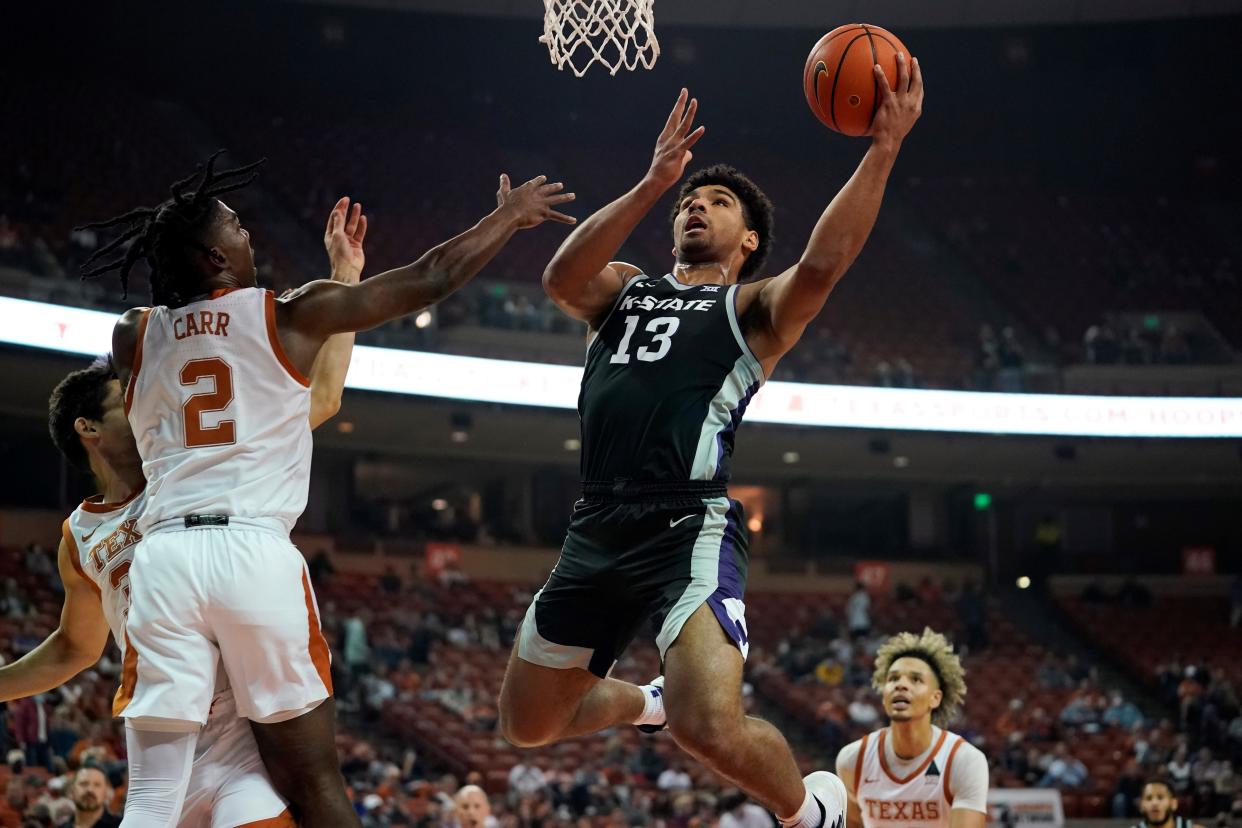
{"x": 217, "y": 395}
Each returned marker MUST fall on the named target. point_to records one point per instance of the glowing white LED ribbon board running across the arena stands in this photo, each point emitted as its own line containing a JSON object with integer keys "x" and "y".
{"x": 89, "y": 333}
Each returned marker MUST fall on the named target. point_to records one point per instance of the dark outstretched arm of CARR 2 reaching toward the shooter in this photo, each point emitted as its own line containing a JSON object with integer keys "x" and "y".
{"x": 325, "y": 308}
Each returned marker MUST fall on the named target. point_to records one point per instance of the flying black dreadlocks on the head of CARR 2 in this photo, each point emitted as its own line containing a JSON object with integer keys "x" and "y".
{"x": 163, "y": 234}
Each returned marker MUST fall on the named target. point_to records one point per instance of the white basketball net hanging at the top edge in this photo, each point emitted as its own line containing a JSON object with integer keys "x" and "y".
{"x": 613, "y": 33}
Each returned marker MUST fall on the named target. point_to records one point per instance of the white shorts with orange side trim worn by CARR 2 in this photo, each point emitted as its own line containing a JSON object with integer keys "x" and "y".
{"x": 238, "y": 596}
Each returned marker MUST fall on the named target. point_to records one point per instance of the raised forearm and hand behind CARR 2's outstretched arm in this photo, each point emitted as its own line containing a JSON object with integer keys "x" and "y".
{"x": 343, "y": 240}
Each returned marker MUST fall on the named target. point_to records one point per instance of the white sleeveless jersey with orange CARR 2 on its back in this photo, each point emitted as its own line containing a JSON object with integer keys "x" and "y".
{"x": 219, "y": 413}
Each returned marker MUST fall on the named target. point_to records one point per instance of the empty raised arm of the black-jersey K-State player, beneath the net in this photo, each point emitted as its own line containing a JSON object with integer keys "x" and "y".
{"x": 582, "y": 279}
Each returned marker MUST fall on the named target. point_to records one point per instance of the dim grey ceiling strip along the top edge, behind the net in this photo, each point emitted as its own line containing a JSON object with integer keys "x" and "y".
{"x": 829, "y": 13}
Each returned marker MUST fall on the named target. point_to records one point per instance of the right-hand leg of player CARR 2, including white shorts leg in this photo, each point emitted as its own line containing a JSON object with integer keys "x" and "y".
{"x": 279, "y": 666}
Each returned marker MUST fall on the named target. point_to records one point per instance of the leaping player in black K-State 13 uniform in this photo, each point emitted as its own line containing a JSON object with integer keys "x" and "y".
{"x": 673, "y": 366}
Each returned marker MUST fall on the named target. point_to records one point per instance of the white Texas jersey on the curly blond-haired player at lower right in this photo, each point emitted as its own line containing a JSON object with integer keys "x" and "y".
{"x": 918, "y": 793}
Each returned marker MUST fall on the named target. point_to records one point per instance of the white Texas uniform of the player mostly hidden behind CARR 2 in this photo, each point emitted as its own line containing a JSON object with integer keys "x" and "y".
{"x": 229, "y": 785}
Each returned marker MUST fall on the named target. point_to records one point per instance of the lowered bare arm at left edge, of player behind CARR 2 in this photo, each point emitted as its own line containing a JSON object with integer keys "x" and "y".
{"x": 75, "y": 646}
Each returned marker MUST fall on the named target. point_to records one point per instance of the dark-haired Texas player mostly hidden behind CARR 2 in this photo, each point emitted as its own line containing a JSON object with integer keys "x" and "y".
{"x": 229, "y": 786}
